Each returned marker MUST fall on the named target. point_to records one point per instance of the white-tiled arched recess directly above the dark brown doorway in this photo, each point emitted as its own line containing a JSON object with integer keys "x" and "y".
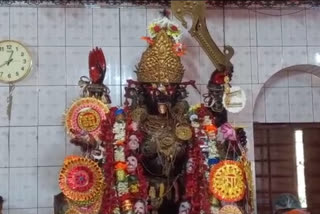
{"x": 290, "y": 95}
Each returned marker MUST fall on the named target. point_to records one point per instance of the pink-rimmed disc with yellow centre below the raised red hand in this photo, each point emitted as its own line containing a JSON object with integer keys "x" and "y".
{"x": 86, "y": 115}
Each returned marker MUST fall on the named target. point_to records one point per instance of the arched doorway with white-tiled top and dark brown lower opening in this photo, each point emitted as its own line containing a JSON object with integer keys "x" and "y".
{"x": 289, "y": 97}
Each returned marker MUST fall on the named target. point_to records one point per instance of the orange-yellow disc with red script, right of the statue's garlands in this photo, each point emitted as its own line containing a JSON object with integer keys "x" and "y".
{"x": 227, "y": 181}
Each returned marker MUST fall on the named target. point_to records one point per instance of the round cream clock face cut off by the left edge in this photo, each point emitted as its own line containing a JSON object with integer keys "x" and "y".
{"x": 15, "y": 61}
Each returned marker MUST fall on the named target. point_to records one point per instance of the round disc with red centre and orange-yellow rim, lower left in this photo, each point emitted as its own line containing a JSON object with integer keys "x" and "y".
{"x": 81, "y": 179}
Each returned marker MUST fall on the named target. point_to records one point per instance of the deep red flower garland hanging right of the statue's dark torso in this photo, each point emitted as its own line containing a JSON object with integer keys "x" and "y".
{"x": 197, "y": 166}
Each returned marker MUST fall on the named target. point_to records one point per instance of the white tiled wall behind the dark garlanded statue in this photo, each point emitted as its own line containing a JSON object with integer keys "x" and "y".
{"x": 33, "y": 142}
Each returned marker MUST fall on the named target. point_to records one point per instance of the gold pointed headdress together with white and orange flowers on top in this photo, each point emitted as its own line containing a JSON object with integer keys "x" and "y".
{"x": 161, "y": 63}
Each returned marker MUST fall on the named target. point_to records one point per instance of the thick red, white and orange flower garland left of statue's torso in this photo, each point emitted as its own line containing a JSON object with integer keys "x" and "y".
{"x": 126, "y": 181}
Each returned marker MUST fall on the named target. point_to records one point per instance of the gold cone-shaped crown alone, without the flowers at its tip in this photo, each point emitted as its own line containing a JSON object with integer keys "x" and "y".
{"x": 158, "y": 63}
